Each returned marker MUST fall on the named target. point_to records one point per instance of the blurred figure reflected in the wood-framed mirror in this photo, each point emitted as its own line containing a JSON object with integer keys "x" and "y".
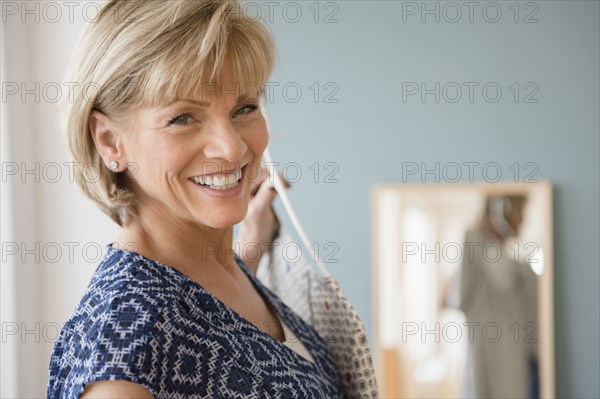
{"x": 496, "y": 289}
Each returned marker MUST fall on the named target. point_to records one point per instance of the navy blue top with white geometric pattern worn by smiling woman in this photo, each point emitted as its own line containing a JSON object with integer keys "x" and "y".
{"x": 150, "y": 324}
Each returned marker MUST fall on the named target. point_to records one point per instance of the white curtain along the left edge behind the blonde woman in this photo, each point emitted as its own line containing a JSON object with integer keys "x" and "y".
{"x": 50, "y": 233}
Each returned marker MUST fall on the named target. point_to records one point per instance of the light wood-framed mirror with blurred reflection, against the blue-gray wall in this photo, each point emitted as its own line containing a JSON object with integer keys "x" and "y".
{"x": 463, "y": 290}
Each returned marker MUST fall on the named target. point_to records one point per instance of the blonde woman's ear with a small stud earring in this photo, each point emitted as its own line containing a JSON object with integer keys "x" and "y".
{"x": 106, "y": 138}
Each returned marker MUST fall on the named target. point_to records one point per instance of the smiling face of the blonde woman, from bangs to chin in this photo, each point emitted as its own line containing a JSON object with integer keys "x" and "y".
{"x": 193, "y": 160}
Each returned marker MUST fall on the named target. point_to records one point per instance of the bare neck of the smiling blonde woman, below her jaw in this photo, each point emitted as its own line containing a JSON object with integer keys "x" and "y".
{"x": 186, "y": 246}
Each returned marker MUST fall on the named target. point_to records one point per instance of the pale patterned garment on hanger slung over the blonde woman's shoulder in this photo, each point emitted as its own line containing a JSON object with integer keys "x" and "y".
{"x": 321, "y": 303}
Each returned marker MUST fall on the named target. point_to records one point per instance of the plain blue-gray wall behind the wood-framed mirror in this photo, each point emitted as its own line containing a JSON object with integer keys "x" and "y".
{"x": 374, "y": 50}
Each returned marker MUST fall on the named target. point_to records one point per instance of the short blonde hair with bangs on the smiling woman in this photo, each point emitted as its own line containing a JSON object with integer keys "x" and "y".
{"x": 143, "y": 53}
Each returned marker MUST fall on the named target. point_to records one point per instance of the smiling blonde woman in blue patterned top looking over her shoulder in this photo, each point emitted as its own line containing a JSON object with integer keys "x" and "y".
{"x": 167, "y": 114}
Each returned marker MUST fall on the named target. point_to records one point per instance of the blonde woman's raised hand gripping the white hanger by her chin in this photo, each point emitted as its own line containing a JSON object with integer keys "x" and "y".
{"x": 260, "y": 227}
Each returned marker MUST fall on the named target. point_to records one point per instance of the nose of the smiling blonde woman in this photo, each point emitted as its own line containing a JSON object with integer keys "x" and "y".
{"x": 225, "y": 142}
